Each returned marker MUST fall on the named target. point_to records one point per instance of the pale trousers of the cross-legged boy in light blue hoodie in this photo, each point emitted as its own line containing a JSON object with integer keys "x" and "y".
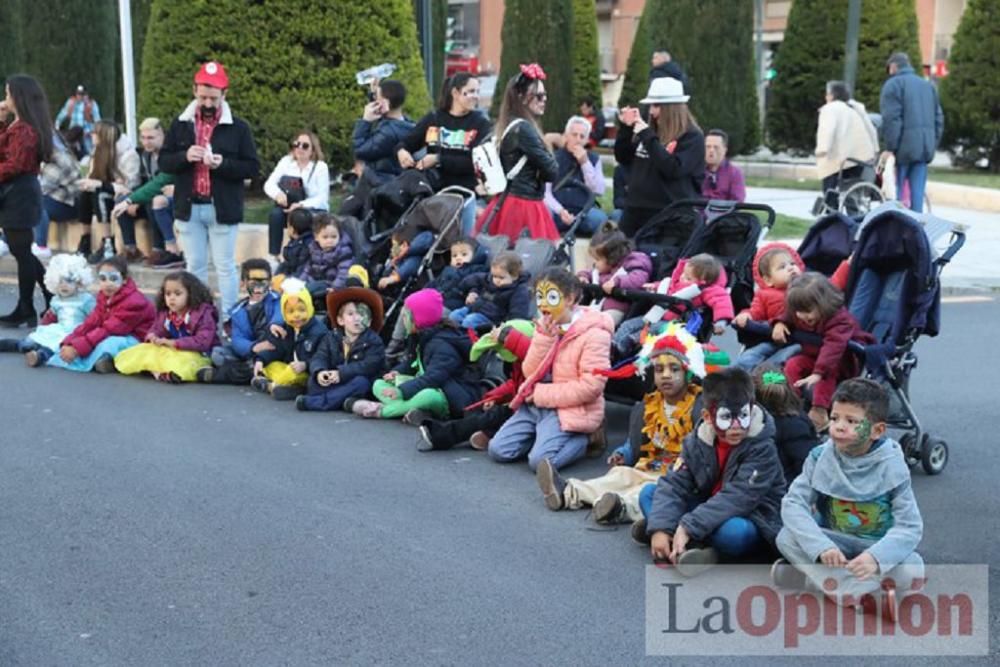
{"x": 903, "y": 574}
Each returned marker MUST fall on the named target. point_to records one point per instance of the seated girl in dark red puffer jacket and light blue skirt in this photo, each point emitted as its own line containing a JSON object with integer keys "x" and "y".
{"x": 121, "y": 318}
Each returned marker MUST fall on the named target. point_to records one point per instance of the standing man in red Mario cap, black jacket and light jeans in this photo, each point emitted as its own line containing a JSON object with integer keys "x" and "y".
{"x": 210, "y": 152}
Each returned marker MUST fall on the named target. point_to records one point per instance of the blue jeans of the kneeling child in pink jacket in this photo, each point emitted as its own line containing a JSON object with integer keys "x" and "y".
{"x": 536, "y": 432}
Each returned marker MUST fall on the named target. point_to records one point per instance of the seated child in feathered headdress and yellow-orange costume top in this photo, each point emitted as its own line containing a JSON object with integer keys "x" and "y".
{"x": 657, "y": 427}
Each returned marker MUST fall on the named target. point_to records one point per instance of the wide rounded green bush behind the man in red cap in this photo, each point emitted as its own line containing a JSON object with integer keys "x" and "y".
{"x": 291, "y": 65}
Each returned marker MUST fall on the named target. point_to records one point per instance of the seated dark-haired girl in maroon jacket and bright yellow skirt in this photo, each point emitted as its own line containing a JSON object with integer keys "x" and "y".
{"x": 185, "y": 331}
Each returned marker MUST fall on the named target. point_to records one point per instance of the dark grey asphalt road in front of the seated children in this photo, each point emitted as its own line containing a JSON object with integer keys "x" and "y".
{"x": 143, "y": 524}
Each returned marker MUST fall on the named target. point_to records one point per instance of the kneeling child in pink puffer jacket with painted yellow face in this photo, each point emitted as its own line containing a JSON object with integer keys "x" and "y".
{"x": 561, "y": 400}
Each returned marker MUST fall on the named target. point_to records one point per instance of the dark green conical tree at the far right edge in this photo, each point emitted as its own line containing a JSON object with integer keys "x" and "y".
{"x": 970, "y": 94}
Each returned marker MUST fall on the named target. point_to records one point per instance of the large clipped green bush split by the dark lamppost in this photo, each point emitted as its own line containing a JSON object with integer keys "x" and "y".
{"x": 813, "y": 53}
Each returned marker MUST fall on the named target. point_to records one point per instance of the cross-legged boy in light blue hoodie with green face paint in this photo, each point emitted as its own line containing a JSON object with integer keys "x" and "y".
{"x": 851, "y": 515}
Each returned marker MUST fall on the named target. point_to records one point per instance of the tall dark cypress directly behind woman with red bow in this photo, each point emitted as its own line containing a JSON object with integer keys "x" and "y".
{"x": 540, "y": 31}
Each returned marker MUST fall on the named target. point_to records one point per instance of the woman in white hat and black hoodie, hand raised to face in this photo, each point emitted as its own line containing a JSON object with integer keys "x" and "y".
{"x": 665, "y": 157}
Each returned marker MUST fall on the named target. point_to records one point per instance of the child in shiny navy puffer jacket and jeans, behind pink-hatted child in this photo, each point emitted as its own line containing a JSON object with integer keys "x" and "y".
{"x": 501, "y": 295}
